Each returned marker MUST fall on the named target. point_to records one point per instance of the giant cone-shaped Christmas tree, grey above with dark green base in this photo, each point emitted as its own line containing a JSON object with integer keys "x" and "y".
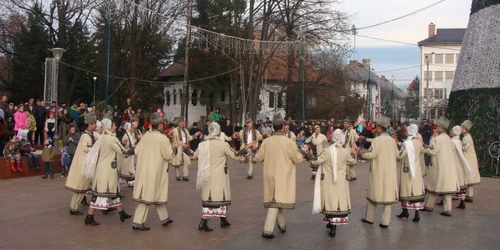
{"x": 476, "y": 89}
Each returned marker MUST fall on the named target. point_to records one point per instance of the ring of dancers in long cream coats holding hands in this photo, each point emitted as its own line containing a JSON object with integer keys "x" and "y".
{"x": 144, "y": 162}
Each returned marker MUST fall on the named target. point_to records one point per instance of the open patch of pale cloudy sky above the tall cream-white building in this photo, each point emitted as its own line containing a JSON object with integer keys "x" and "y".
{"x": 412, "y": 29}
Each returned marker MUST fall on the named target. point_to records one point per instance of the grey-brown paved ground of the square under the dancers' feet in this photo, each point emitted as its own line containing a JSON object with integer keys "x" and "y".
{"x": 34, "y": 215}
